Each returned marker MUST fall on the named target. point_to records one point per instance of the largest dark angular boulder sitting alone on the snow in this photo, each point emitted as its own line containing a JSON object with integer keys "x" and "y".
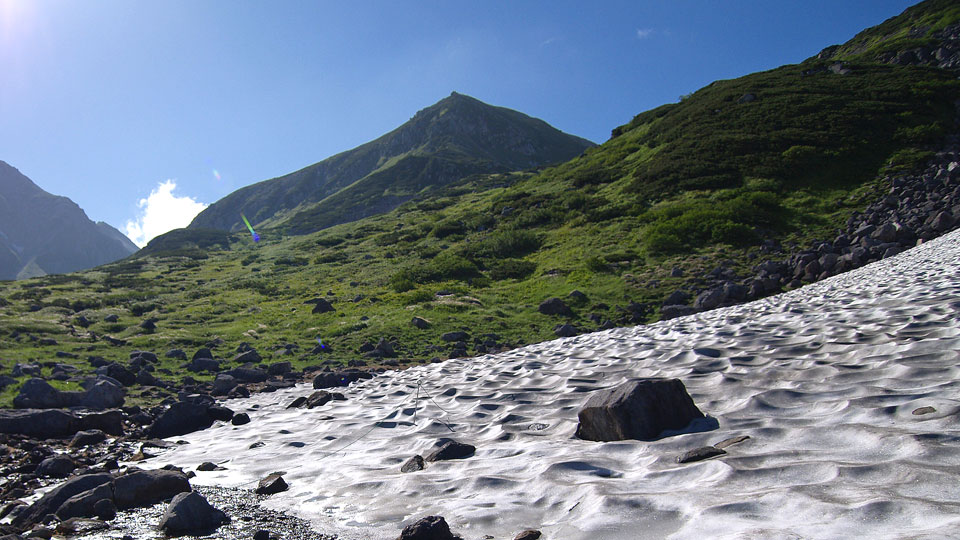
{"x": 639, "y": 409}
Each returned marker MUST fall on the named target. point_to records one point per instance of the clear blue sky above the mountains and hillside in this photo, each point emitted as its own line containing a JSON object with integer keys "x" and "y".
{"x": 141, "y": 112}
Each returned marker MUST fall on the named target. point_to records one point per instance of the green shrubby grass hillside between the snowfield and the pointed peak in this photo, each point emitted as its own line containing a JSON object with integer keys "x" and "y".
{"x": 784, "y": 155}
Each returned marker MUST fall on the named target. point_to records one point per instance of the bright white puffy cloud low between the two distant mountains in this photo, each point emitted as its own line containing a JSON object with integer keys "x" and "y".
{"x": 160, "y": 212}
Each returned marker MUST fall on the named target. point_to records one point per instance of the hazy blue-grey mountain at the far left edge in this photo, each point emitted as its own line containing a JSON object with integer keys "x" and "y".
{"x": 42, "y": 233}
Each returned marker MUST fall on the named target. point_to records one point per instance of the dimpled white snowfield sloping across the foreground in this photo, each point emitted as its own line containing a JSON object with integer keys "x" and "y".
{"x": 824, "y": 379}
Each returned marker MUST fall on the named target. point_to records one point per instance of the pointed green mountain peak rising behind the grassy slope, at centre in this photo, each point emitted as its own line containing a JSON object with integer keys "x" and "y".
{"x": 457, "y": 137}
